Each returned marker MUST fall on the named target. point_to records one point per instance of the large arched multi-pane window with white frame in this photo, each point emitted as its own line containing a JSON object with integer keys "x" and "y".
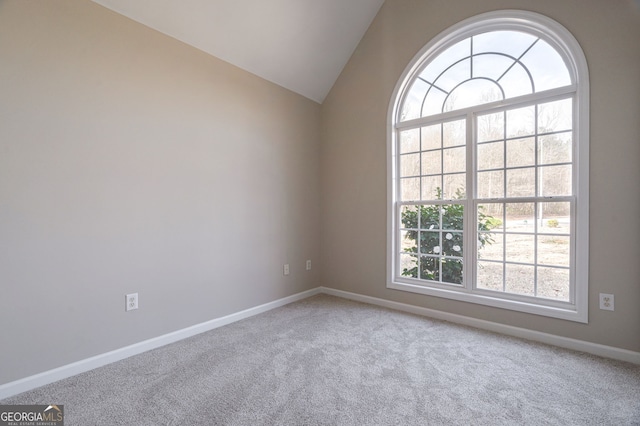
{"x": 488, "y": 167}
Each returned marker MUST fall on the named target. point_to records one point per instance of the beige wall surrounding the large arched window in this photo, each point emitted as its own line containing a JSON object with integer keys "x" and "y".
{"x": 353, "y": 159}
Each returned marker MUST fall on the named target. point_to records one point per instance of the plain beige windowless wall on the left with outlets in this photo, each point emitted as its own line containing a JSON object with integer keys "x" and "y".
{"x": 130, "y": 162}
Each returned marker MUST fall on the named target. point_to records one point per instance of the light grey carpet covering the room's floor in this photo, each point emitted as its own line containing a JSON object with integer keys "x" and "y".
{"x": 330, "y": 361}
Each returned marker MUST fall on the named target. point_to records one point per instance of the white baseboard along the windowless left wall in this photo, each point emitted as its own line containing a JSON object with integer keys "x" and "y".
{"x": 22, "y": 385}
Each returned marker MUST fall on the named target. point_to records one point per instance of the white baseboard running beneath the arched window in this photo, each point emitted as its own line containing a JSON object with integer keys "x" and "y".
{"x": 536, "y": 336}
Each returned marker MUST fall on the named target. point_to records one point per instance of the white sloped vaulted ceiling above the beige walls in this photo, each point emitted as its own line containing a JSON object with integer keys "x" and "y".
{"x": 302, "y": 45}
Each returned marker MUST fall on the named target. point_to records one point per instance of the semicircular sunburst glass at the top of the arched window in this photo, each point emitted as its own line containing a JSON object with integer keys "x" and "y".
{"x": 482, "y": 68}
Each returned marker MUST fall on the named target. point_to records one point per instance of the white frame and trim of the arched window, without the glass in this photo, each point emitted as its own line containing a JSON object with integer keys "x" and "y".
{"x": 560, "y": 38}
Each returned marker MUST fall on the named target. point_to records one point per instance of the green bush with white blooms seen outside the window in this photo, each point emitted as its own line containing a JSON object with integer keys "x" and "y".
{"x": 436, "y": 235}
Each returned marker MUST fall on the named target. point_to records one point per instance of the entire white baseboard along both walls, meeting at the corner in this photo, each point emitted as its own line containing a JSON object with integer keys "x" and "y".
{"x": 22, "y": 385}
